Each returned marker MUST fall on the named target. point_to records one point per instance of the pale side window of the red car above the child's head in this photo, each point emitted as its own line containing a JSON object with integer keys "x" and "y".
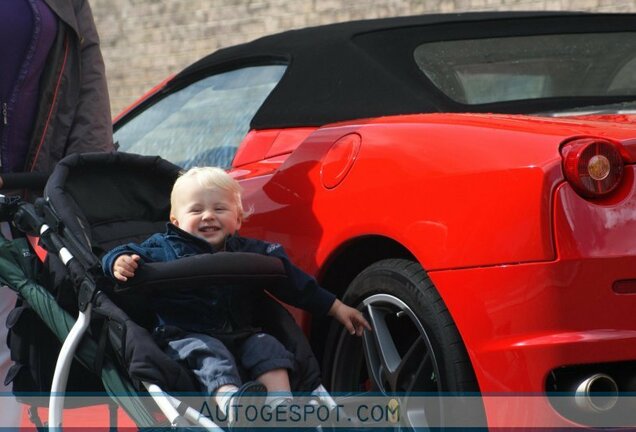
{"x": 204, "y": 122}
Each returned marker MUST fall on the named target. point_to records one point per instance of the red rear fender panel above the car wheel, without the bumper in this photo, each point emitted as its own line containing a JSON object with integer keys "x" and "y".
{"x": 522, "y": 179}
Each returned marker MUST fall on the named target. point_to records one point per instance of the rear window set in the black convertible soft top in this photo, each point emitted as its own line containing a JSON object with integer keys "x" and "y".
{"x": 490, "y": 70}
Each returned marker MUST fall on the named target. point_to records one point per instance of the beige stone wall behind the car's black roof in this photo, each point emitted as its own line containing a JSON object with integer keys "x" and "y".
{"x": 144, "y": 41}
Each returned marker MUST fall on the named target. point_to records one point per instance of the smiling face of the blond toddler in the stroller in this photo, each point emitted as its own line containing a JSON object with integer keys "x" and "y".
{"x": 211, "y": 214}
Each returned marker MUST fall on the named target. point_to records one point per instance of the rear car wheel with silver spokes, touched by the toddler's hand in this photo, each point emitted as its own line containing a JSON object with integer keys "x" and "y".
{"x": 414, "y": 346}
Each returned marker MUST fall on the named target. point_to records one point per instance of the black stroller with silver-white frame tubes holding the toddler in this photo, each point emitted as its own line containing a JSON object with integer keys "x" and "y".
{"x": 93, "y": 202}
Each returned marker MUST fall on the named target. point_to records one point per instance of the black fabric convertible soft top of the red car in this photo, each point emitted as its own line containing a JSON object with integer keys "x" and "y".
{"x": 365, "y": 68}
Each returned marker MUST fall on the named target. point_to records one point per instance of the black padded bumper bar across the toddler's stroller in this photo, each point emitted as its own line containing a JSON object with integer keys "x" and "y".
{"x": 200, "y": 271}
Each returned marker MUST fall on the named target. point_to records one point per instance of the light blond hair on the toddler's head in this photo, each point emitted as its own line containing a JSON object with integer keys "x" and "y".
{"x": 211, "y": 178}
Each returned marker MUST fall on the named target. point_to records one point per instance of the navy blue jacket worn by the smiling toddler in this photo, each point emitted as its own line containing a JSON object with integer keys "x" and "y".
{"x": 206, "y": 310}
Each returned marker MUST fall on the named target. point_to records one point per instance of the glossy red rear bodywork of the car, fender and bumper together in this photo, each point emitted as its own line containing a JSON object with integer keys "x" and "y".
{"x": 527, "y": 280}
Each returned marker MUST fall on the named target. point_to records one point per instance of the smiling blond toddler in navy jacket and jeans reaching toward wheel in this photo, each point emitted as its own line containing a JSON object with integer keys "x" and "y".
{"x": 212, "y": 332}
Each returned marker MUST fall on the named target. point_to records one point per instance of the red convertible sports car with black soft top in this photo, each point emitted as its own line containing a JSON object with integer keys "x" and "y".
{"x": 468, "y": 180}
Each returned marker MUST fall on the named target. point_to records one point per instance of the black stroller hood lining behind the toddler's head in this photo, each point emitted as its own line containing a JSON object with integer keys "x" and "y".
{"x": 106, "y": 199}
